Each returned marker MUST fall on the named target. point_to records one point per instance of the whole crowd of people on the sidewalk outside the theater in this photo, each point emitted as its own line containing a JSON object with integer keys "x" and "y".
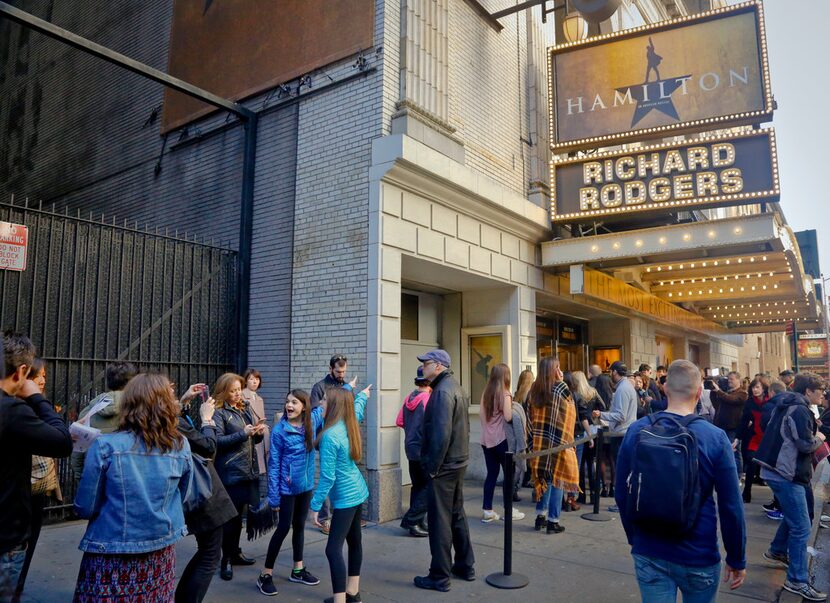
{"x": 163, "y": 466}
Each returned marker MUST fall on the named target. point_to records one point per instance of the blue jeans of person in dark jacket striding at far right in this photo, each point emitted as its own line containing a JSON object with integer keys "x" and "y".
{"x": 794, "y": 532}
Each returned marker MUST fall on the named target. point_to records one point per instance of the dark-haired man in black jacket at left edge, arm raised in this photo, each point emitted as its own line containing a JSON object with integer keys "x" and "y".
{"x": 28, "y": 426}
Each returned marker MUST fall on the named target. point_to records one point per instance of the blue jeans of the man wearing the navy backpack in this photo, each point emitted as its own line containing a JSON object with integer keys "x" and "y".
{"x": 659, "y": 580}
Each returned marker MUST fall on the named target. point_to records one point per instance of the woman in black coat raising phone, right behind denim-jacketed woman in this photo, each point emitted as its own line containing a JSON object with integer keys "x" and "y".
{"x": 206, "y": 522}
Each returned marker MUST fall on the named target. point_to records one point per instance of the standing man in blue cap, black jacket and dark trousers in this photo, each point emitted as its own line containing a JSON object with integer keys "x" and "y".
{"x": 444, "y": 457}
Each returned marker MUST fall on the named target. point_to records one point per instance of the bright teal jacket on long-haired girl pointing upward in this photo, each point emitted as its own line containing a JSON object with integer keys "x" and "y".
{"x": 340, "y": 479}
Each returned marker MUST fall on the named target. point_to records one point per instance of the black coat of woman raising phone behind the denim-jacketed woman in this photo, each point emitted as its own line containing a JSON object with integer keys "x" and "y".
{"x": 218, "y": 509}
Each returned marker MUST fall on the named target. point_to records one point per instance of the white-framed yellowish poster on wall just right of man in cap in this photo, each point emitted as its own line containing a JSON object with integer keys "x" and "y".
{"x": 482, "y": 348}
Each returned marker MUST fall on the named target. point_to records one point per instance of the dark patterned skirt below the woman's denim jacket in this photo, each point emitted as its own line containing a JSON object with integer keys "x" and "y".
{"x": 142, "y": 578}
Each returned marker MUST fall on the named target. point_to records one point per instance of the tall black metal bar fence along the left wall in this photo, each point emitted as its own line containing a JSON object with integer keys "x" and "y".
{"x": 94, "y": 292}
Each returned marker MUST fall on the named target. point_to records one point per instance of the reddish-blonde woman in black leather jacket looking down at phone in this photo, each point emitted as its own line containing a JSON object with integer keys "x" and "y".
{"x": 237, "y": 431}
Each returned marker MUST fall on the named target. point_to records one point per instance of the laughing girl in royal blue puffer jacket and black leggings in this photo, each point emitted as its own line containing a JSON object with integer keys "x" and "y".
{"x": 290, "y": 483}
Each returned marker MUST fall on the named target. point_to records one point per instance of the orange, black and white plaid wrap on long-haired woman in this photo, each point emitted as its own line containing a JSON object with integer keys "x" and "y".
{"x": 553, "y": 426}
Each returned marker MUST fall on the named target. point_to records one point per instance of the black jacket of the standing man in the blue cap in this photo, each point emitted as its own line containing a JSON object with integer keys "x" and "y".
{"x": 446, "y": 443}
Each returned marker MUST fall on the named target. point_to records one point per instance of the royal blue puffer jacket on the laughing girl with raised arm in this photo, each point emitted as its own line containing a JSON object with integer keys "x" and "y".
{"x": 291, "y": 466}
